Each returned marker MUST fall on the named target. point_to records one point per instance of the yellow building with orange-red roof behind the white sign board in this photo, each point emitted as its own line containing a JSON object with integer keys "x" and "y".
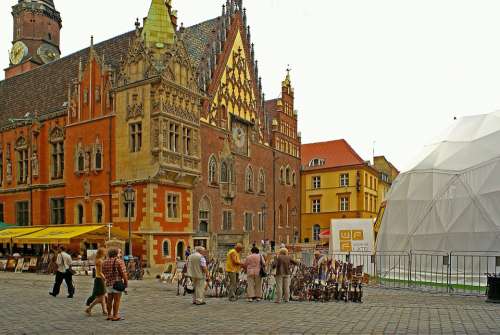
{"x": 336, "y": 183}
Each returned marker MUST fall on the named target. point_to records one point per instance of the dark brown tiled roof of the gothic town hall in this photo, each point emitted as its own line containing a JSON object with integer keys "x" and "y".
{"x": 44, "y": 90}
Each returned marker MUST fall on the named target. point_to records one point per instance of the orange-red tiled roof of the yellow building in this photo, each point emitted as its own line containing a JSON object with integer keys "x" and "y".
{"x": 334, "y": 153}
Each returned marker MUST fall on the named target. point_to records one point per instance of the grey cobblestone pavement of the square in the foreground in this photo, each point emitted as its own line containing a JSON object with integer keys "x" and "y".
{"x": 152, "y": 307}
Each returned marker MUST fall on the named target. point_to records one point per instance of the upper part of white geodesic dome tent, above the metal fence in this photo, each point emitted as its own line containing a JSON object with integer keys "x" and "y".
{"x": 450, "y": 199}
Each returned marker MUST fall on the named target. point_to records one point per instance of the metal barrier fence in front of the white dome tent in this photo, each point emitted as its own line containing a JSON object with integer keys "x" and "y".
{"x": 433, "y": 271}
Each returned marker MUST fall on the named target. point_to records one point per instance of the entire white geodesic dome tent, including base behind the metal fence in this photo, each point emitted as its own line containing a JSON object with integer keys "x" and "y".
{"x": 444, "y": 212}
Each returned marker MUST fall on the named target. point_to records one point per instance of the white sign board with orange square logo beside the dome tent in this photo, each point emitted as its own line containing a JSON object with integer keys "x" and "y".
{"x": 351, "y": 235}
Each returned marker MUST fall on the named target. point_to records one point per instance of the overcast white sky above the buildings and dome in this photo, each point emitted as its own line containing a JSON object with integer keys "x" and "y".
{"x": 391, "y": 71}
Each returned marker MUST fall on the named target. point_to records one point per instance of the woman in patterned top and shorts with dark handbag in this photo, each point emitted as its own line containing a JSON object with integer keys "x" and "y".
{"x": 115, "y": 274}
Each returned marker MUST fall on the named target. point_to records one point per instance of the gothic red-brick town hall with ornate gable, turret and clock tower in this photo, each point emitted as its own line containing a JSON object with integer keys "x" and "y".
{"x": 176, "y": 112}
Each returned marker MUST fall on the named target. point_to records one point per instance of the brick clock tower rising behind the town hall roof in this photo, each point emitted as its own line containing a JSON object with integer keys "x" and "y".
{"x": 36, "y": 40}
